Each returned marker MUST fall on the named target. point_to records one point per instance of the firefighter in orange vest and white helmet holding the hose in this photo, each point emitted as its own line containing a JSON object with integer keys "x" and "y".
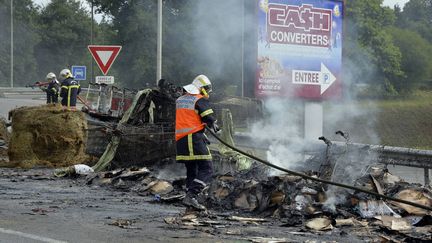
{"x": 193, "y": 112}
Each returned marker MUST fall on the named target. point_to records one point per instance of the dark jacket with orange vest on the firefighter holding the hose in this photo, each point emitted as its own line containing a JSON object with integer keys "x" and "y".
{"x": 192, "y": 113}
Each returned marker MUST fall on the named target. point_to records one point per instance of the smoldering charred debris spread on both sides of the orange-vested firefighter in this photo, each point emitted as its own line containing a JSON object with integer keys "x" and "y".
{"x": 249, "y": 197}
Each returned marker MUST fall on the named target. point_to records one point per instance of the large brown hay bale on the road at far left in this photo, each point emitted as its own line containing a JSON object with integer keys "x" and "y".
{"x": 47, "y": 136}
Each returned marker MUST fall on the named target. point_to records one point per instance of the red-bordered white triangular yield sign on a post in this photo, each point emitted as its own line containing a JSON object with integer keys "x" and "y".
{"x": 104, "y": 56}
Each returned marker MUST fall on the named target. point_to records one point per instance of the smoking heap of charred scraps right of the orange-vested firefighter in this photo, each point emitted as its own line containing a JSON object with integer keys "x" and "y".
{"x": 296, "y": 202}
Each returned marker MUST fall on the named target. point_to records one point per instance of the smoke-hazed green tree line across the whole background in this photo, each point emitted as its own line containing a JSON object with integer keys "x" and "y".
{"x": 385, "y": 48}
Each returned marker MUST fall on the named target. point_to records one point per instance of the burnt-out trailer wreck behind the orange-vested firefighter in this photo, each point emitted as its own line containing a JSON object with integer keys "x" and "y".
{"x": 144, "y": 134}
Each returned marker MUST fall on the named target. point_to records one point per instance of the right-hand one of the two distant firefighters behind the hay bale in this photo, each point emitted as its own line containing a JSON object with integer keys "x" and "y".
{"x": 70, "y": 89}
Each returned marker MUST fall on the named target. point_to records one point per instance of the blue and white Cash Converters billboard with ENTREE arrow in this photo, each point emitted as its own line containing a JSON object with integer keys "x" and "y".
{"x": 299, "y": 49}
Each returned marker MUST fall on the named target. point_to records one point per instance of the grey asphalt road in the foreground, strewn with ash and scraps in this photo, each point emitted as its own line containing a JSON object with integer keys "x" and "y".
{"x": 37, "y": 207}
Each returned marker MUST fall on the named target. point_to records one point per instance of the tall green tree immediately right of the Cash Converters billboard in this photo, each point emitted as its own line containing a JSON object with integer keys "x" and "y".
{"x": 369, "y": 45}
